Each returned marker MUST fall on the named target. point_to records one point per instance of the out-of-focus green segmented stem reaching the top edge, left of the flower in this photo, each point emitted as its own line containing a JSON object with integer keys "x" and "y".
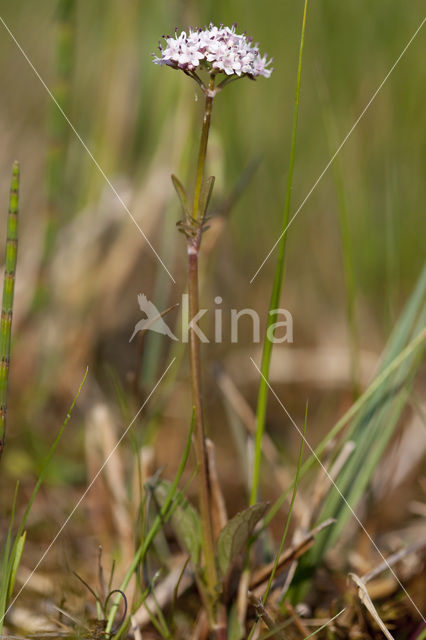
{"x": 58, "y": 131}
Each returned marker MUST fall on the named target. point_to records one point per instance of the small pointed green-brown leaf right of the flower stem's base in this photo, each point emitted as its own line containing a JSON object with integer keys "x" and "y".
{"x": 234, "y": 536}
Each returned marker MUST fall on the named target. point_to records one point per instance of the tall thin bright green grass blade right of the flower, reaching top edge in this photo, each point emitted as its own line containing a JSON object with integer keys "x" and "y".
{"x": 277, "y": 286}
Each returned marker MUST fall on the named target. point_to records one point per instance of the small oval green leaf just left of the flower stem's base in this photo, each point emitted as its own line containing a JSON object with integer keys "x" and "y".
{"x": 184, "y": 521}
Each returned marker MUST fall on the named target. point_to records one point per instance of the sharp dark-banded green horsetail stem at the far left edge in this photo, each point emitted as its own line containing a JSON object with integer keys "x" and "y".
{"x": 7, "y": 304}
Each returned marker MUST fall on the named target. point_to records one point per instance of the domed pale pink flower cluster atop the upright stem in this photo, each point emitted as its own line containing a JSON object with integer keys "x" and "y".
{"x": 216, "y": 48}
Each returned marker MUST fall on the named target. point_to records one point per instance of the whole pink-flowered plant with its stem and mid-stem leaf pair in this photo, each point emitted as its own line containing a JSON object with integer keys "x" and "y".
{"x": 213, "y": 57}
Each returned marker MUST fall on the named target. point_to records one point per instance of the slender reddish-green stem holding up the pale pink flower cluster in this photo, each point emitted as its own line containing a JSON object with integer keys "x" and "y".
{"x": 193, "y": 245}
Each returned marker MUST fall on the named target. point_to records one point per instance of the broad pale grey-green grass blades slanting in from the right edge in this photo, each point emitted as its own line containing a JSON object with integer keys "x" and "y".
{"x": 374, "y": 425}
